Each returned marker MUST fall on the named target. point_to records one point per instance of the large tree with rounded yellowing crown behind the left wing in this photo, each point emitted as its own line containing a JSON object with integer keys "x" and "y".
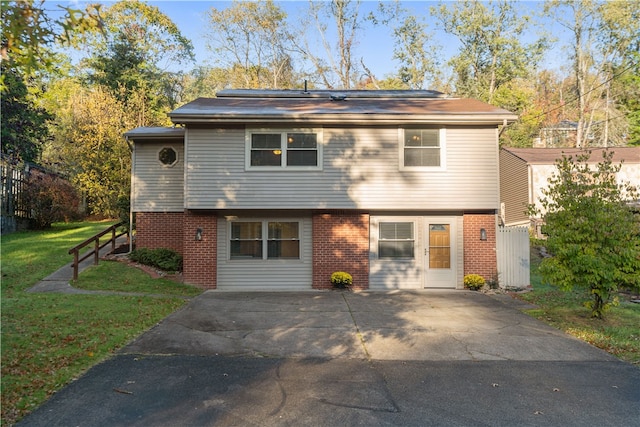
{"x": 130, "y": 56}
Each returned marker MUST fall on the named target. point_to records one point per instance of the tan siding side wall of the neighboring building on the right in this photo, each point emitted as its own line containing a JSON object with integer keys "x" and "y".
{"x": 514, "y": 188}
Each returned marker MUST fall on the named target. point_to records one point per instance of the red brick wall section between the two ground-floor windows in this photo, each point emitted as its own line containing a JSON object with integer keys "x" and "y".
{"x": 340, "y": 243}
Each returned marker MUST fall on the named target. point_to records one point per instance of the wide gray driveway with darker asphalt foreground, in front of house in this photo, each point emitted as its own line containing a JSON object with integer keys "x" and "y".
{"x": 339, "y": 358}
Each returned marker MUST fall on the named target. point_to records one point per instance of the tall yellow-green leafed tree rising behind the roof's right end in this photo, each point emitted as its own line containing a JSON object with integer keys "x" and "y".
{"x": 492, "y": 53}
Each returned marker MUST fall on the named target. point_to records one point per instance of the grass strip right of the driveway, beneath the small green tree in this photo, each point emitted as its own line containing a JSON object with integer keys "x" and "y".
{"x": 618, "y": 333}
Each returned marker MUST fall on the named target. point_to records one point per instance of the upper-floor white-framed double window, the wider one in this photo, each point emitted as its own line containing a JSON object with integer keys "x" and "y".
{"x": 294, "y": 149}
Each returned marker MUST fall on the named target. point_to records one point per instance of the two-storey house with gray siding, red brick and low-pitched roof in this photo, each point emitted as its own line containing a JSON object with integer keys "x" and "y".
{"x": 278, "y": 189}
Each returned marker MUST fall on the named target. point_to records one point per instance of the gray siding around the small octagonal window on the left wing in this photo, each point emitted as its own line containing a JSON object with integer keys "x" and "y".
{"x": 154, "y": 186}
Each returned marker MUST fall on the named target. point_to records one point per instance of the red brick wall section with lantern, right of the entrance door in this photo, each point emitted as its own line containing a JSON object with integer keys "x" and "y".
{"x": 480, "y": 255}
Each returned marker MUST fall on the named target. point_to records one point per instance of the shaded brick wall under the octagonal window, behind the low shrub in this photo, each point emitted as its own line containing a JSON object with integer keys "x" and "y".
{"x": 159, "y": 230}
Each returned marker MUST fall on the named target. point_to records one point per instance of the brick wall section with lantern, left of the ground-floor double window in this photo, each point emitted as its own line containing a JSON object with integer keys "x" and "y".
{"x": 200, "y": 256}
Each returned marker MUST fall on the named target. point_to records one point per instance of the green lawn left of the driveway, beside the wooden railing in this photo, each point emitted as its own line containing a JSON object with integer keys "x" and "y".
{"x": 50, "y": 339}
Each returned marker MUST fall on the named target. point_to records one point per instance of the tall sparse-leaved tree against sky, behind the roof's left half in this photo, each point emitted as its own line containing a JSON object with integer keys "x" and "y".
{"x": 250, "y": 40}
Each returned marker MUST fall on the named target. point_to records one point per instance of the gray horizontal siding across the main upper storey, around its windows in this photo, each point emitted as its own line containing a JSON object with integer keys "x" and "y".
{"x": 360, "y": 170}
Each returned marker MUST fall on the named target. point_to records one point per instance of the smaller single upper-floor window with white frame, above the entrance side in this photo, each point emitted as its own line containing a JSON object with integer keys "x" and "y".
{"x": 422, "y": 148}
